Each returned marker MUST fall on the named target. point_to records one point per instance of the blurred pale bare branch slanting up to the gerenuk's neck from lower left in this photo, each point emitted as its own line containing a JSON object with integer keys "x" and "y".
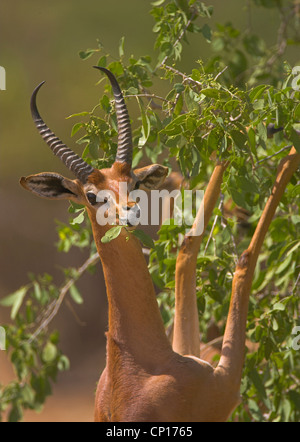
{"x": 56, "y": 306}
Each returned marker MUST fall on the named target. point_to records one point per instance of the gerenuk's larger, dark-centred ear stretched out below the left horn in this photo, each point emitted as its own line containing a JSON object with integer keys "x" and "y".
{"x": 52, "y": 186}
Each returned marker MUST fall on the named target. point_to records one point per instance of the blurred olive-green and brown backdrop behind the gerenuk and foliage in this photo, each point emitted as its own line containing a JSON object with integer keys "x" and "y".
{"x": 40, "y": 40}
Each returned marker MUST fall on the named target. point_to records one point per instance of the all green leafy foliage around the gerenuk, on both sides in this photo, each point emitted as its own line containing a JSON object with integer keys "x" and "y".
{"x": 221, "y": 109}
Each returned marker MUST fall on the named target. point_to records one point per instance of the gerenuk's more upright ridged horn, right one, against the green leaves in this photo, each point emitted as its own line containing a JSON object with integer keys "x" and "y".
{"x": 125, "y": 147}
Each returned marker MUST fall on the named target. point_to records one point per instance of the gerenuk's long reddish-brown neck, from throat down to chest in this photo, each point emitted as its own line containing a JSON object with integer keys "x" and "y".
{"x": 134, "y": 318}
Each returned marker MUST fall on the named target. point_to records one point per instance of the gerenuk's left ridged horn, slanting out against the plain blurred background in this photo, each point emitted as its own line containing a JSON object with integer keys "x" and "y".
{"x": 73, "y": 162}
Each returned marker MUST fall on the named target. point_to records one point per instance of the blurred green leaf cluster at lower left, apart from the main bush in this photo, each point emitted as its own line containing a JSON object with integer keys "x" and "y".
{"x": 36, "y": 360}
